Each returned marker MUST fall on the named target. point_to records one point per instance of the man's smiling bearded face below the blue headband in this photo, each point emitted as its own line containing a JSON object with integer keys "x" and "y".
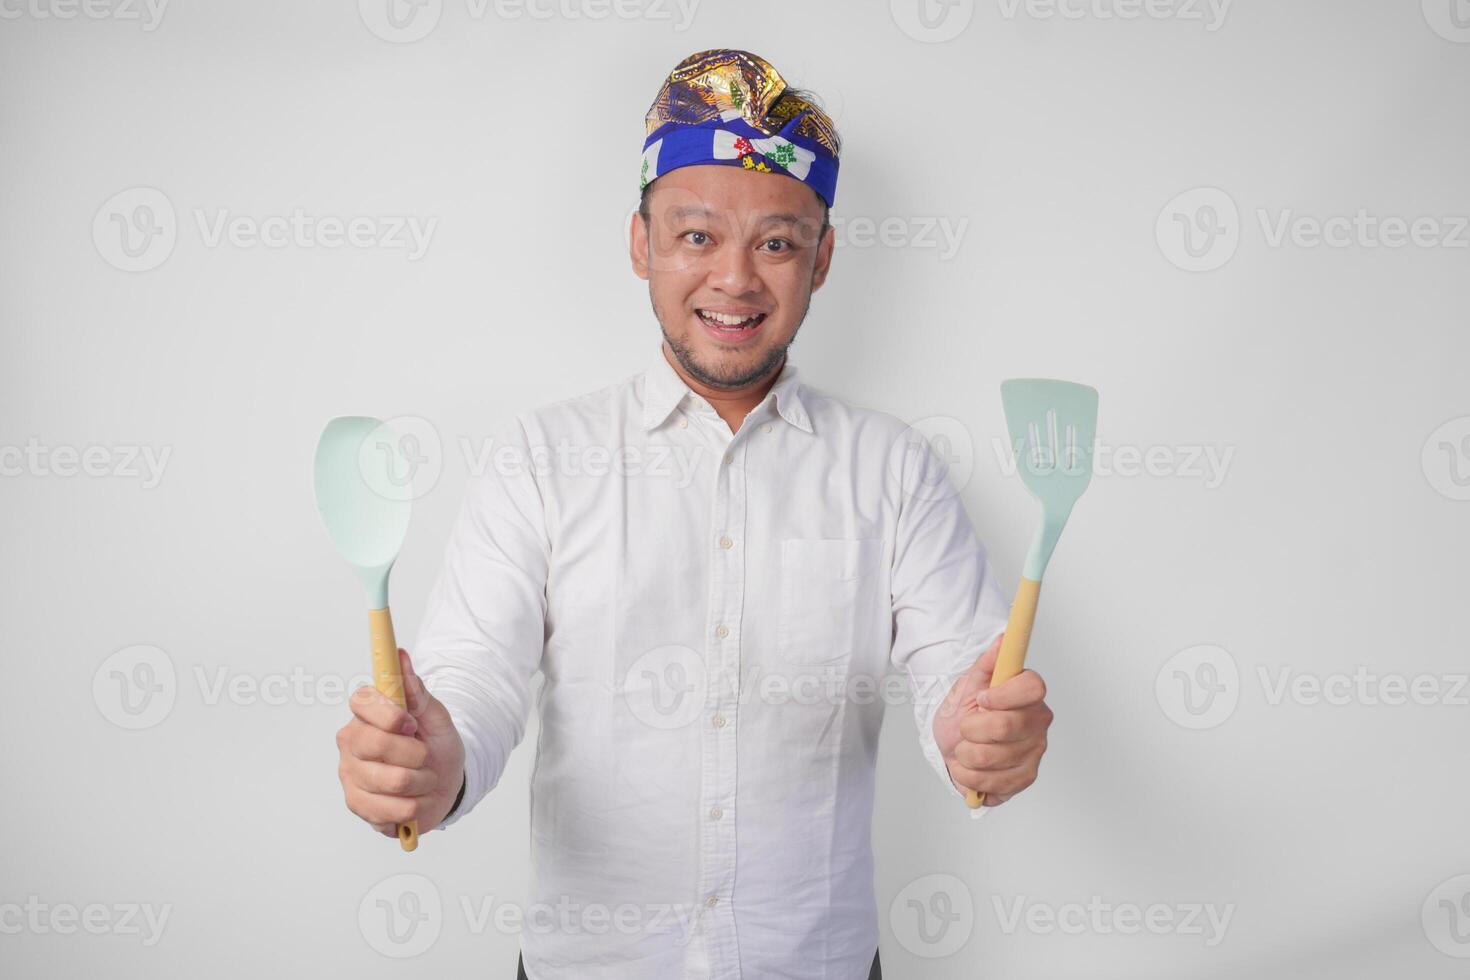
{"x": 731, "y": 258}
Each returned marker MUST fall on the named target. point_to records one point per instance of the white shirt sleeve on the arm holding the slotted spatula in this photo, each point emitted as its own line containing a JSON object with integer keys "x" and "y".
{"x": 947, "y": 605}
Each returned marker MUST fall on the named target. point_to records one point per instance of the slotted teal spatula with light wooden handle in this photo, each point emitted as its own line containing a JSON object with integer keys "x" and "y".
{"x": 1052, "y": 428}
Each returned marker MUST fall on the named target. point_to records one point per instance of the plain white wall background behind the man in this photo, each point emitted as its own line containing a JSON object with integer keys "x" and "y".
{"x": 1058, "y": 142}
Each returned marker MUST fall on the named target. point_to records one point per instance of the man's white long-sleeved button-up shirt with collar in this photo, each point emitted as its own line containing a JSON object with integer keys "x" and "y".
{"x": 714, "y": 616}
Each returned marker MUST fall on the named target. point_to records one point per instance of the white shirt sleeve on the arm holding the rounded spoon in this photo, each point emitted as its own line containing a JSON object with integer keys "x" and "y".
{"x": 484, "y": 630}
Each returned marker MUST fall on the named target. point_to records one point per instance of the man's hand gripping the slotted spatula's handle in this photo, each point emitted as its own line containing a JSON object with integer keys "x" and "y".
{"x": 993, "y": 738}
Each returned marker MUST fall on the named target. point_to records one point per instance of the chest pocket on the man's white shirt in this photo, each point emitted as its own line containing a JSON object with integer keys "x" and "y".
{"x": 828, "y": 591}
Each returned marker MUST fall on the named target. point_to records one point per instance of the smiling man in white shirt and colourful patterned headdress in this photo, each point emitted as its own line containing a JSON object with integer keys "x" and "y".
{"x": 714, "y": 566}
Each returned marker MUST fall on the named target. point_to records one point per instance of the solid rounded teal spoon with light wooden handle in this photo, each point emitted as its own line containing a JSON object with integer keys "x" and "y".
{"x": 368, "y": 530}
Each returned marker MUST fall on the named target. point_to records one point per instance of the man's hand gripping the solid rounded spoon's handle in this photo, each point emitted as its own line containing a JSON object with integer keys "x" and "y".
{"x": 401, "y": 765}
